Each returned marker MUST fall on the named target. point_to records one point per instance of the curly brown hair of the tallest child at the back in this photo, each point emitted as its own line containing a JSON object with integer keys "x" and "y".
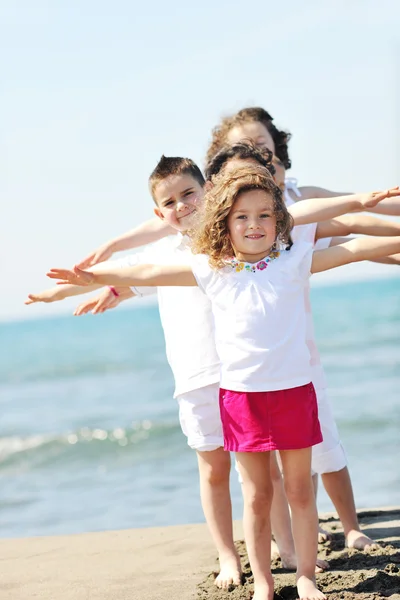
{"x": 254, "y": 114}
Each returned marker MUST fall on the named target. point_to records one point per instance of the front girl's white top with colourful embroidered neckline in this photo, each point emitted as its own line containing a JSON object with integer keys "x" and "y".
{"x": 260, "y": 321}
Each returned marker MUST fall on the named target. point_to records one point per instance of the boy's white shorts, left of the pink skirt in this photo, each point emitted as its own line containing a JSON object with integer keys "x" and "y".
{"x": 200, "y": 418}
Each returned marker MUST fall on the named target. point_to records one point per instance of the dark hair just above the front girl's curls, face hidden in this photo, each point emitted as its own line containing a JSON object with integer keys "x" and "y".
{"x": 244, "y": 150}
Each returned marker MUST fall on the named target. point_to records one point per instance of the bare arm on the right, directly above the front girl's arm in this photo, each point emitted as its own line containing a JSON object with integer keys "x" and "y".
{"x": 356, "y": 223}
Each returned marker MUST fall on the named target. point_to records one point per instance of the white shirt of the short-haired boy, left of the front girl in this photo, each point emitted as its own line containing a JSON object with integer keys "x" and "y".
{"x": 186, "y": 319}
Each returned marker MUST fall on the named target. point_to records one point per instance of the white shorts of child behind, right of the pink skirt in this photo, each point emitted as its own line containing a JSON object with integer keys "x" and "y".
{"x": 328, "y": 456}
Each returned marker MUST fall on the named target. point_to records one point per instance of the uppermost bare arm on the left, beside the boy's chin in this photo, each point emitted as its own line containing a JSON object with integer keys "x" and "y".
{"x": 150, "y": 231}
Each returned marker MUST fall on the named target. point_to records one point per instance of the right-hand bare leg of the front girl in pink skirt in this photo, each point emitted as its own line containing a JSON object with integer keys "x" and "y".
{"x": 300, "y": 494}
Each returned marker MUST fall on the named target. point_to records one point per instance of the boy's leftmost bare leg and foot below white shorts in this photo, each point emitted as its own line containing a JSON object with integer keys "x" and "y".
{"x": 214, "y": 470}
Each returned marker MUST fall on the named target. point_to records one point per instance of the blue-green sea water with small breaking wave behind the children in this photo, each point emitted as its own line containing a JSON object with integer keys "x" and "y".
{"x": 89, "y": 434}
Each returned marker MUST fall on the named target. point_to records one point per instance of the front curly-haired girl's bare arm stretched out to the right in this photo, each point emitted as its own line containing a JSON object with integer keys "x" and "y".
{"x": 367, "y": 248}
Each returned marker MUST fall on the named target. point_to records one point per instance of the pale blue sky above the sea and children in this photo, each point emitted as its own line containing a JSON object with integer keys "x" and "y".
{"x": 94, "y": 92}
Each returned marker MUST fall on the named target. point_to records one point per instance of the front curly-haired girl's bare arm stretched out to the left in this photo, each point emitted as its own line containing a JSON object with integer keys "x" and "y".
{"x": 138, "y": 275}
